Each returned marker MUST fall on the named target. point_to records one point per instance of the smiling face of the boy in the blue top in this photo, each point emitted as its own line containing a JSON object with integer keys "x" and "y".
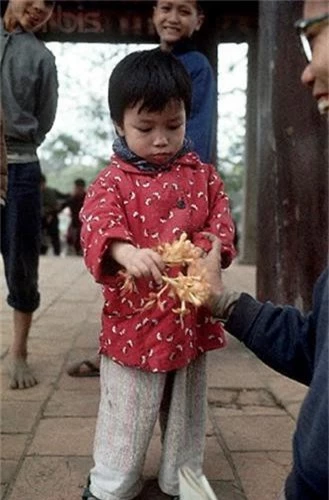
{"x": 176, "y": 19}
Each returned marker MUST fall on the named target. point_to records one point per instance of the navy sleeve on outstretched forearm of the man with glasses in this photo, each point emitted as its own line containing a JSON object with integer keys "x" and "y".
{"x": 280, "y": 336}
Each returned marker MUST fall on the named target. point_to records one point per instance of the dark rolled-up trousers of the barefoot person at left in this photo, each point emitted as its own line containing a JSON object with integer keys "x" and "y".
{"x": 20, "y": 235}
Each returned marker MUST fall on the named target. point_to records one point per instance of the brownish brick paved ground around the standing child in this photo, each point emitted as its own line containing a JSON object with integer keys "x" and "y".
{"x": 47, "y": 431}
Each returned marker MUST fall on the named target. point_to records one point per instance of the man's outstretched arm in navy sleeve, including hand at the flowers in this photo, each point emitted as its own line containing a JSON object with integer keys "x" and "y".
{"x": 281, "y": 336}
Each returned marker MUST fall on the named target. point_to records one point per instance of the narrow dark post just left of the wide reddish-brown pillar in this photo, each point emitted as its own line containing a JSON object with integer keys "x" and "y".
{"x": 250, "y": 189}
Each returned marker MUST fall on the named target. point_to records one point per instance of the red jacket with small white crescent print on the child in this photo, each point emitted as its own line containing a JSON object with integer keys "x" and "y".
{"x": 146, "y": 209}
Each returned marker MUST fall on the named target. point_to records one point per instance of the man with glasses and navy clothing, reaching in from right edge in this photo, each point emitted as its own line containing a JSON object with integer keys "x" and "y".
{"x": 290, "y": 342}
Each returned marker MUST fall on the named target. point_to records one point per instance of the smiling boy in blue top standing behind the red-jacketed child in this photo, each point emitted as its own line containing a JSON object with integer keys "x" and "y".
{"x": 175, "y": 22}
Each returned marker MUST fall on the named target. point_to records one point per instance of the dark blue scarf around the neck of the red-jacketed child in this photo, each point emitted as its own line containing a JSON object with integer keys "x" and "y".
{"x": 120, "y": 148}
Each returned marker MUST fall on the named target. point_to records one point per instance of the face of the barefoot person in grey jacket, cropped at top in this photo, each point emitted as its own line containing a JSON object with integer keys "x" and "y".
{"x": 29, "y": 14}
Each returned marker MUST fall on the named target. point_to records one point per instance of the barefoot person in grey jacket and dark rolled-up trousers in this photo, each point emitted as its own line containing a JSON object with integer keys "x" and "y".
{"x": 29, "y": 100}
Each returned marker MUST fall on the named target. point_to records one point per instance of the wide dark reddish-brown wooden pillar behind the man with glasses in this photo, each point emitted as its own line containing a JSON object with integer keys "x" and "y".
{"x": 292, "y": 243}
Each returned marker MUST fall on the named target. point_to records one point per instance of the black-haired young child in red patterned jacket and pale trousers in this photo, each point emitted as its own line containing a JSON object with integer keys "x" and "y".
{"x": 152, "y": 364}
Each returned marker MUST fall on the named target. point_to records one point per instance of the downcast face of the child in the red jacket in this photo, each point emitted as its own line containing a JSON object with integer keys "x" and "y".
{"x": 155, "y": 136}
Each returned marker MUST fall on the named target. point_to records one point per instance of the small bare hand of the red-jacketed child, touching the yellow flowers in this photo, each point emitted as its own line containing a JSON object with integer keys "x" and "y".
{"x": 138, "y": 261}
